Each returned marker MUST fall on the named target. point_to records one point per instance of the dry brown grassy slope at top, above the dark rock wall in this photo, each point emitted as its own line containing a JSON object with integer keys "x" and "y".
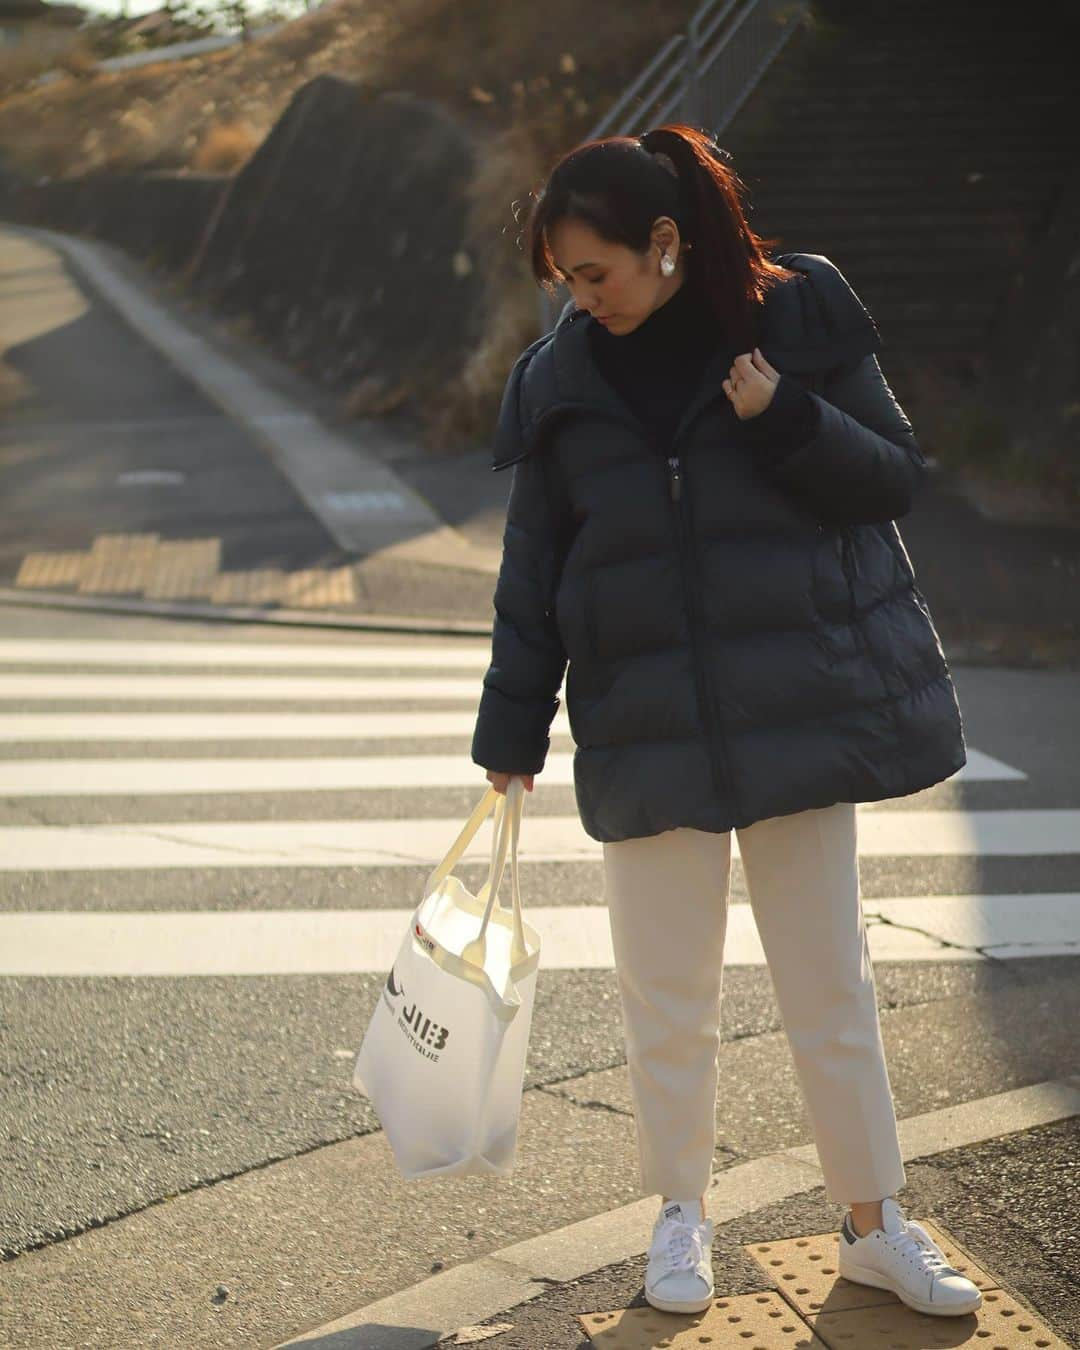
{"x": 492, "y": 64}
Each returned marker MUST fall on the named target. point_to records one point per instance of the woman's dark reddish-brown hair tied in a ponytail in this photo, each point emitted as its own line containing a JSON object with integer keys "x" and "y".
{"x": 619, "y": 187}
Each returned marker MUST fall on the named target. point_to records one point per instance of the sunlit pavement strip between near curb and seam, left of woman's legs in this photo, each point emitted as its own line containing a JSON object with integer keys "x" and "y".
{"x": 294, "y": 1240}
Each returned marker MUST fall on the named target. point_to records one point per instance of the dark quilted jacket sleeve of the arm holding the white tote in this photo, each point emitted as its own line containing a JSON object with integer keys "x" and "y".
{"x": 529, "y": 662}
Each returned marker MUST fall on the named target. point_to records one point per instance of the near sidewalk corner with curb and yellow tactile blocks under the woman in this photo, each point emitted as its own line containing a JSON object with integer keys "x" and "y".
{"x": 971, "y": 1181}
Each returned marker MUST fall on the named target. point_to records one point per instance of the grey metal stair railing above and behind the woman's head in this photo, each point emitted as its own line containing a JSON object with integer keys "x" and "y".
{"x": 701, "y": 76}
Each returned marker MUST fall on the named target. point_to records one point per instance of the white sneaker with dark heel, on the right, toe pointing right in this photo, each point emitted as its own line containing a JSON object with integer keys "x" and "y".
{"x": 905, "y": 1259}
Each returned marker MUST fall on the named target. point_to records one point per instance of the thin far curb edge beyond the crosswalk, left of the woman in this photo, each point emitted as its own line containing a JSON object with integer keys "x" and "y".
{"x": 248, "y": 615}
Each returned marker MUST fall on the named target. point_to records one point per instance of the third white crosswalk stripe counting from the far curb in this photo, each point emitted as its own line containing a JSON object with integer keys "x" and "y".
{"x": 246, "y": 727}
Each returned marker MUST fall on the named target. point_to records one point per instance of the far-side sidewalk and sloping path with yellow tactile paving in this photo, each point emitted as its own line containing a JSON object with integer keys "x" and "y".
{"x": 153, "y": 461}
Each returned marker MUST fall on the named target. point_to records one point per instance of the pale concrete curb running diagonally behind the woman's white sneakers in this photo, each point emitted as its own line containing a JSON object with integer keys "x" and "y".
{"x": 421, "y": 1317}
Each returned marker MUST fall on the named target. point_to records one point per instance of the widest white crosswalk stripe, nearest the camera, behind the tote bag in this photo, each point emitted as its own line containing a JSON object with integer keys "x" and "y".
{"x": 573, "y": 938}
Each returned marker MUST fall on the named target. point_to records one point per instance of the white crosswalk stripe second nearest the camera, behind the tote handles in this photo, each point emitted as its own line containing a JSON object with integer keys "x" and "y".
{"x": 423, "y": 842}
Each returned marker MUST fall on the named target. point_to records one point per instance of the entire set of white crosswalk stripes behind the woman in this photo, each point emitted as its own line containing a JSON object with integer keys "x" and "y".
{"x": 317, "y": 942}
